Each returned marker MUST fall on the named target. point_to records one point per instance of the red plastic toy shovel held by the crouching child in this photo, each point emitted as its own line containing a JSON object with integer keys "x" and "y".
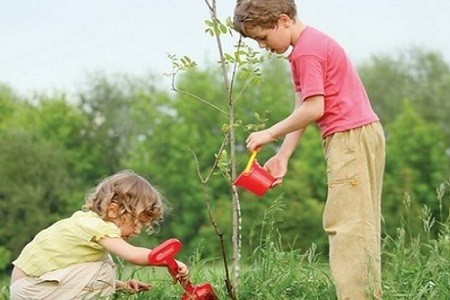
{"x": 164, "y": 255}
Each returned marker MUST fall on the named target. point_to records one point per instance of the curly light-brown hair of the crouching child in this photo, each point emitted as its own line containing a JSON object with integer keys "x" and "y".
{"x": 133, "y": 194}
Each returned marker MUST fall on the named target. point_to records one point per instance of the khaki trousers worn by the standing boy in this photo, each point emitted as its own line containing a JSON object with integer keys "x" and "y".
{"x": 355, "y": 166}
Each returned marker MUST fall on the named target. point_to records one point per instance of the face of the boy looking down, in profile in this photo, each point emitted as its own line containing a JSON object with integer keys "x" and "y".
{"x": 276, "y": 40}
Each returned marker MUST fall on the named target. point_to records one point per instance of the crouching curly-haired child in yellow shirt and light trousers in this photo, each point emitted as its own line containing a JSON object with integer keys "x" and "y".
{"x": 70, "y": 259}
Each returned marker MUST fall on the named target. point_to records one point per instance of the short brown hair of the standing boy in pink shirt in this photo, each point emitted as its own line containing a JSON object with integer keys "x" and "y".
{"x": 262, "y": 13}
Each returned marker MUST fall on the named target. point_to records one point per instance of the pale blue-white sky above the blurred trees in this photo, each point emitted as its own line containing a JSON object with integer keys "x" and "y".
{"x": 49, "y": 46}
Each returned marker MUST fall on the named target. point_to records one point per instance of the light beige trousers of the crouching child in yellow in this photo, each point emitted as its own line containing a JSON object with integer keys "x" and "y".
{"x": 95, "y": 280}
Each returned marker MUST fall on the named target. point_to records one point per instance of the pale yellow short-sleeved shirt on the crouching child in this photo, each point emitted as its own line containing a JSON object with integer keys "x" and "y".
{"x": 66, "y": 242}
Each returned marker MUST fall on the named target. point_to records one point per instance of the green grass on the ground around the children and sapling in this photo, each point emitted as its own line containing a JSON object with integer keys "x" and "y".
{"x": 416, "y": 265}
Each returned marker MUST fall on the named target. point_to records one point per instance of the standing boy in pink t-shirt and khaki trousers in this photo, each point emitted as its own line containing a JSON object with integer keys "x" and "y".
{"x": 329, "y": 92}
